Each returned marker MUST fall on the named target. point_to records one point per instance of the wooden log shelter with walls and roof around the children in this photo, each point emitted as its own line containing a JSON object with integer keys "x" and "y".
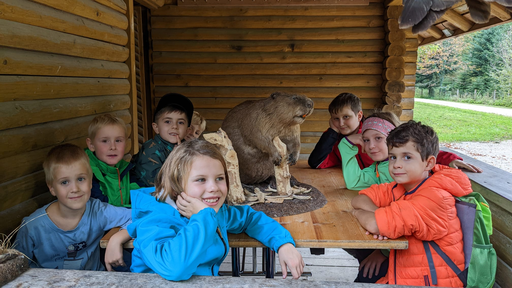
{"x": 62, "y": 62}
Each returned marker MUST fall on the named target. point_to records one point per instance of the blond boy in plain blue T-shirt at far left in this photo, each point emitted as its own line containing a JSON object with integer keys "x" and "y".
{"x": 66, "y": 233}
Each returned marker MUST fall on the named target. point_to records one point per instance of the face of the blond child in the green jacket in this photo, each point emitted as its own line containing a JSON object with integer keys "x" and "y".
{"x": 109, "y": 144}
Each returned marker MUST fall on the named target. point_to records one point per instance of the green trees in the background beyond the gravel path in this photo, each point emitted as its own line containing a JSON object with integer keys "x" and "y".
{"x": 478, "y": 63}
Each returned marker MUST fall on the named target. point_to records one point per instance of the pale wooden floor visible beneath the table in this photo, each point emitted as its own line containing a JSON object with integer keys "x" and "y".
{"x": 335, "y": 265}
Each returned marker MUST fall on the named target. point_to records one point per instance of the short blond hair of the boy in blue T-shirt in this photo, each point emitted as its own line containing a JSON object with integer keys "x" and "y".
{"x": 66, "y": 155}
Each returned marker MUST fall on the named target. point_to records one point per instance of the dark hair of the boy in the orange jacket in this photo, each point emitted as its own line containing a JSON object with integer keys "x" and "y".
{"x": 423, "y": 136}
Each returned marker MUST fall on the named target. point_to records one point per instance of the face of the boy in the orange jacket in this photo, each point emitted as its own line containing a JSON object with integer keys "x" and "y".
{"x": 406, "y": 166}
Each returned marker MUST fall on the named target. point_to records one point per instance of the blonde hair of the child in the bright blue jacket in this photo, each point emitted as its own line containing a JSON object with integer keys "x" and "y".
{"x": 176, "y": 168}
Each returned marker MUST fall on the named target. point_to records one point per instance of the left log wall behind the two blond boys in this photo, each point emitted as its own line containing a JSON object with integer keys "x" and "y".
{"x": 62, "y": 63}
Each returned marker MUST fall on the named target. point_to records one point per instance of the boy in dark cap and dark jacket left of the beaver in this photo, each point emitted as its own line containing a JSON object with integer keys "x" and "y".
{"x": 173, "y": 116}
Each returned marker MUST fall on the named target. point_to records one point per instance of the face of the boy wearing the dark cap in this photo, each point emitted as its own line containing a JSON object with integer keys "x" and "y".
{"x": 172, "y": 127}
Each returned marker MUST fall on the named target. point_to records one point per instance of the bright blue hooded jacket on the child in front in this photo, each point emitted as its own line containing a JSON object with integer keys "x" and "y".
{"x": 176, "y": 247}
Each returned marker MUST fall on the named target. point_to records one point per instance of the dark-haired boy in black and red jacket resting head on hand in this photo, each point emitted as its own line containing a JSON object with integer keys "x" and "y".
{"x": 346, "y": 119}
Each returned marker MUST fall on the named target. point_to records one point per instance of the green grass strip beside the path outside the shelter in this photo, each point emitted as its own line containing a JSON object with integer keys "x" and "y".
{"x": 458, "y": 125}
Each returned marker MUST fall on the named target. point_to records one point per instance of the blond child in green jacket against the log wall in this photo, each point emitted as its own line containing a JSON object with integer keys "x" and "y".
{"x": 106, "y": 144}
